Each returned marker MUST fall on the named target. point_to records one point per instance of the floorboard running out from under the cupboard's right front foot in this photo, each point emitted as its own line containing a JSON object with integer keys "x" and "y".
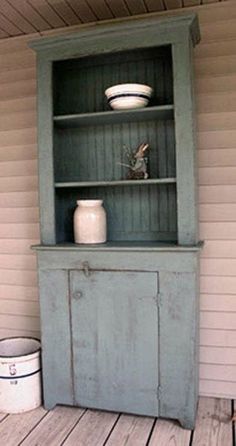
{"x": 169, "y": 433}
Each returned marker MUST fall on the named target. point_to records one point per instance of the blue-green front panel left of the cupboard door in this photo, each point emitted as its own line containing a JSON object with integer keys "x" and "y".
{"x": 56, "y": 342}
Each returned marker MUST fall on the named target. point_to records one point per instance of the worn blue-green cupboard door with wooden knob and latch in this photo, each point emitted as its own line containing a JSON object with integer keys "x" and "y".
{"x": 115, "y": 340}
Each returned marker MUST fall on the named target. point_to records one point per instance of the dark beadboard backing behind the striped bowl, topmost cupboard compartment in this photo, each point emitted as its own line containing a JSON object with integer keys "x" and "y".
{"x": 80, "y": 83}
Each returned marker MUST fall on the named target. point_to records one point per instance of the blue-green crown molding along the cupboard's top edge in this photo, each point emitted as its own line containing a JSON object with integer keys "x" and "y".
{"x": 164, "y": 30}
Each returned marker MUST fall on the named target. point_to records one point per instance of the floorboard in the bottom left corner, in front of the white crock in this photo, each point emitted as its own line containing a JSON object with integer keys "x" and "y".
{"x": 14, "y": 428}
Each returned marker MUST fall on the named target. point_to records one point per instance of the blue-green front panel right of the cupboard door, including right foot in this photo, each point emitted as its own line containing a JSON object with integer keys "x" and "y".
{"x": 178, "y": 346}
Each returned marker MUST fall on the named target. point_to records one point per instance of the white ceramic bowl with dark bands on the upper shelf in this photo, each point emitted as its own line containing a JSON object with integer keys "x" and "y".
{"x": 125, "y": 96}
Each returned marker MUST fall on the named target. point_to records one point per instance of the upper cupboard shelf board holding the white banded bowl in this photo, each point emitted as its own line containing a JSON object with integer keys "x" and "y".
{"x": 114, "y": 117}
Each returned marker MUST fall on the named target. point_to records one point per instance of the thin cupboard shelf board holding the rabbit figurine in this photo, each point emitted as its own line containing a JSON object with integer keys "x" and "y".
{"x": 115, "y": 183}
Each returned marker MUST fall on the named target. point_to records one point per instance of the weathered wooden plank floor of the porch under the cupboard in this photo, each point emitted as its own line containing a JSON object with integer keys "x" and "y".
{"x": 214, "y": 429}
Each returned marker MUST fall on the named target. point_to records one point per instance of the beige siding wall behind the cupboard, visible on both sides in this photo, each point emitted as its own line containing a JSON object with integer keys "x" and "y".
{"x": 215, "y": 64}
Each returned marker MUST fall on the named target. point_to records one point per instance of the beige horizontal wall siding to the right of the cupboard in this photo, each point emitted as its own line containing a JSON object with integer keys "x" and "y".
{"x": 215, "y": 67}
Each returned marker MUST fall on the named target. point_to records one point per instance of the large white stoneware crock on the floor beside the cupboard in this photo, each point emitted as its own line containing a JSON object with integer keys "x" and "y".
{"x": 20, "y": 374}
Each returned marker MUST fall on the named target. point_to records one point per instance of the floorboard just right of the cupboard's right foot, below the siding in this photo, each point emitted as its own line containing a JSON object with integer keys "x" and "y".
{"x": 213, "y": 425}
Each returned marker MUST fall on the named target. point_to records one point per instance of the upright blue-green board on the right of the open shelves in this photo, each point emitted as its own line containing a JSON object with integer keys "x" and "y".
{"x": 185, "y": 143}
